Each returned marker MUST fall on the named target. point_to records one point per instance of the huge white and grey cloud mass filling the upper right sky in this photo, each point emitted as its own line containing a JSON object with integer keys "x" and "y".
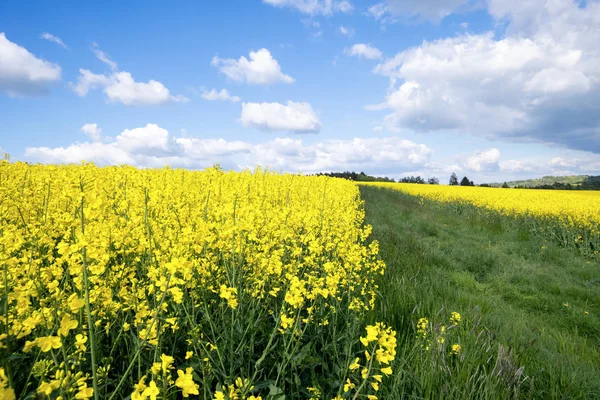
{"x": 540, "y": 82}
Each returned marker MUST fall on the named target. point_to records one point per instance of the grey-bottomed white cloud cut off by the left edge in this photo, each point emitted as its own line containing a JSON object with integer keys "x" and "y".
{"x": 22, "y": 73}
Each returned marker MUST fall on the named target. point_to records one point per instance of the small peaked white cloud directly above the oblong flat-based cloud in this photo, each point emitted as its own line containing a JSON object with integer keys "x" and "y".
{"x": 261, "y": 69}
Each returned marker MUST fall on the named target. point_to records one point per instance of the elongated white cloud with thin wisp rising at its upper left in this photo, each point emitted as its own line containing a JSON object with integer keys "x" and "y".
{"x": 121, "y": 87}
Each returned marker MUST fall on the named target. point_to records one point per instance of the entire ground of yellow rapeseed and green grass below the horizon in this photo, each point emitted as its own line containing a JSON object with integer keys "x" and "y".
{"x": 119, "y": 282}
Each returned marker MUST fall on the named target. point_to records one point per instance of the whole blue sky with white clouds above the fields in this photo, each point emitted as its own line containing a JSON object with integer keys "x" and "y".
{"x": 491, "y": 89}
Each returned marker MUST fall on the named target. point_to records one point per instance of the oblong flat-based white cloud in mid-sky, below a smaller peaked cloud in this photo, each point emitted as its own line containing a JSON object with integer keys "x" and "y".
{"x": 293, "y": 117}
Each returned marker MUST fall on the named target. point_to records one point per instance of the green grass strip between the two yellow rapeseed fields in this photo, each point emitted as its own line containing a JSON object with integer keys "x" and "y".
{"x": 523, "y": 301}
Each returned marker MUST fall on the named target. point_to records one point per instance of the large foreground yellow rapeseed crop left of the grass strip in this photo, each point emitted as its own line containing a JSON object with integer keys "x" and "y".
{"x": 164, "y": 283}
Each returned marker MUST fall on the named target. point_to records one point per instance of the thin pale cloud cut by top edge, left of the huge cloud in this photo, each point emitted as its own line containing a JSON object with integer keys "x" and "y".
{"x": 432, "y": 10}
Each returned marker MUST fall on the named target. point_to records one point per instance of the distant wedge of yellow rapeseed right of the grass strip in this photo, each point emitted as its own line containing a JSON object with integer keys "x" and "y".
{"x": 578, "y": 211}
